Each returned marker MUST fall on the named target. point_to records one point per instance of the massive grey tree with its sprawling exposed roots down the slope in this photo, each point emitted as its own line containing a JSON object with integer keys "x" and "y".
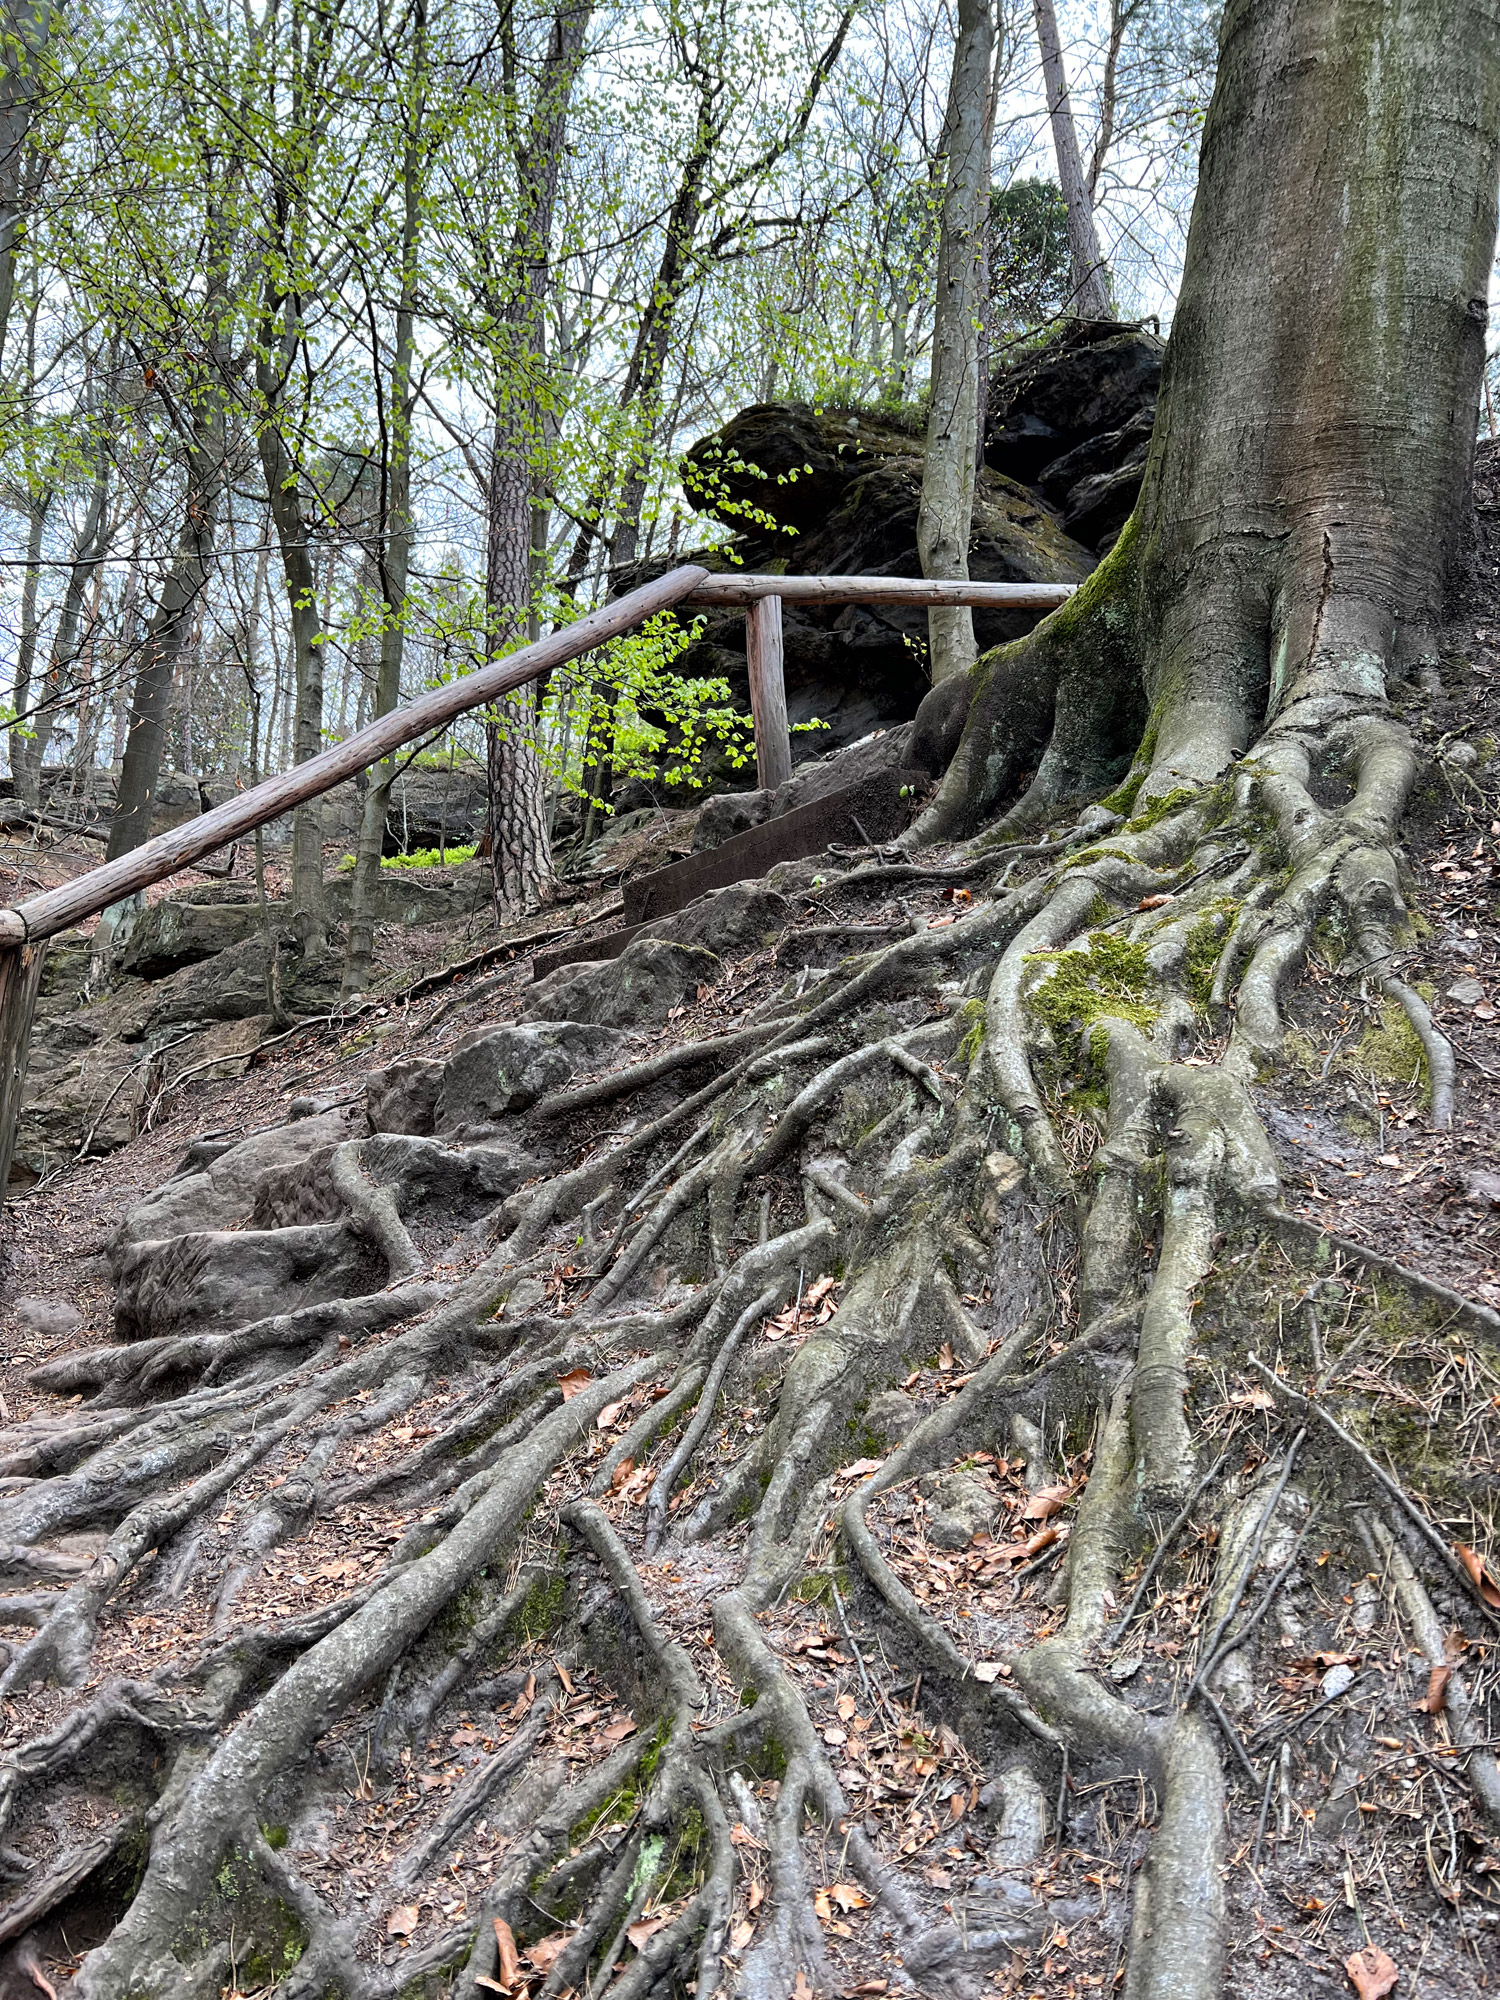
{"x": 725, "y": 1483}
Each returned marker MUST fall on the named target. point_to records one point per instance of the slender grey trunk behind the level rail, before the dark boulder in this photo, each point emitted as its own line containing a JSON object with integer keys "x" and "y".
{"x": 947, "y": 511}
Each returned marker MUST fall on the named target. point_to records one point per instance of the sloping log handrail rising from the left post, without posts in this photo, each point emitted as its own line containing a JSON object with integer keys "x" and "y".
{"x": 153, "y": 861}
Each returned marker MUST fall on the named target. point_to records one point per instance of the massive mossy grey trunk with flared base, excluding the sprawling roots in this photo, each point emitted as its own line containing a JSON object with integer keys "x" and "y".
{"x": 1309, "y": 473}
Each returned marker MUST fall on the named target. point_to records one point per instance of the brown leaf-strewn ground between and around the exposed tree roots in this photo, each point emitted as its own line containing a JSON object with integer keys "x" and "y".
{"x": 1391, "y": 1853}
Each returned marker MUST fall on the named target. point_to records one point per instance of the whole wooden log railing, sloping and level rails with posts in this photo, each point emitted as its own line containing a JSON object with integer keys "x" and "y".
{"x": 27, "y": 927}
